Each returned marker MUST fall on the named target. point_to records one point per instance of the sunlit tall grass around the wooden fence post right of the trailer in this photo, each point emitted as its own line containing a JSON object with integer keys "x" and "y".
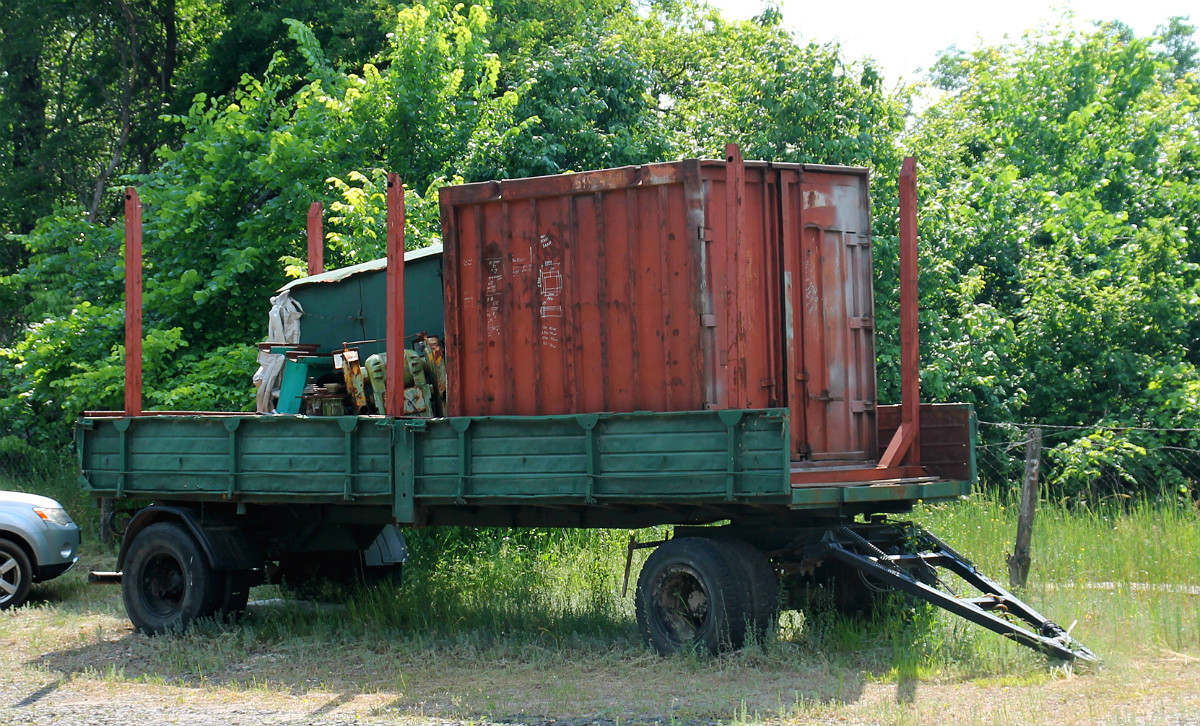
{"x": 1124, "y": 573}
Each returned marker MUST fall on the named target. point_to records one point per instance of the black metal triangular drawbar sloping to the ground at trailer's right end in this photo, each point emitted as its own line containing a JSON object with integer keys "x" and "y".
{"x": 914, "y": 574}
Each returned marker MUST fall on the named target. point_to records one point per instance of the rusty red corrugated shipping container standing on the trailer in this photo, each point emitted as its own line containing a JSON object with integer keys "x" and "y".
{"x": 683, "y": 286}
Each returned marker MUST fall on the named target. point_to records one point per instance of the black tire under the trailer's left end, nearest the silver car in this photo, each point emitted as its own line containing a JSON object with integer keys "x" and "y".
{"x": 167, "y": 583}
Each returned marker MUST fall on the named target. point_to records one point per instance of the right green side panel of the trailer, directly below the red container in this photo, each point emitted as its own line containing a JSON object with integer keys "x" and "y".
{"x": 604, "y": 458}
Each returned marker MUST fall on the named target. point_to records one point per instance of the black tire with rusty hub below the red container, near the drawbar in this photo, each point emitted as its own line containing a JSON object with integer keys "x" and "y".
{"x": 693, "y": 595}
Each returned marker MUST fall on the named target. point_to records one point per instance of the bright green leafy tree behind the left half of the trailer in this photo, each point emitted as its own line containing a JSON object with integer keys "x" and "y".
{"x": 225, "y": 217}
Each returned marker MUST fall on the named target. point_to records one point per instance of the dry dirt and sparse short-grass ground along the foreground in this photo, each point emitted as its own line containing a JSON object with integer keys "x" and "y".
{"x": 92, "y": 669}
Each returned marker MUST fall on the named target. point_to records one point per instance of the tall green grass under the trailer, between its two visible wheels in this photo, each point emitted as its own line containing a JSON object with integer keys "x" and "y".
{"x": 487, "y": 587}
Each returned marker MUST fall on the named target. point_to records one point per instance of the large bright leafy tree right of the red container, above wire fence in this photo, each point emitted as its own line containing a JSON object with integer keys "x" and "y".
{"x": 1061, "y": 229}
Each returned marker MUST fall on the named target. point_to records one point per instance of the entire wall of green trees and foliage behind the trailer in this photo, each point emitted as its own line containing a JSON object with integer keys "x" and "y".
{"x": 1060, "y": 191}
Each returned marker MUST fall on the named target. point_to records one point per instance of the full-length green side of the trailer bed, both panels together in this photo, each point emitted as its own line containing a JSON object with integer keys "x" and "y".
{"x": 548, "y": 467}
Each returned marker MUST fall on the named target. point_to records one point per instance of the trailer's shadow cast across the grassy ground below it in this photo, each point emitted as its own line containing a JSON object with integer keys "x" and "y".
{"x": 559, "y": 671}
